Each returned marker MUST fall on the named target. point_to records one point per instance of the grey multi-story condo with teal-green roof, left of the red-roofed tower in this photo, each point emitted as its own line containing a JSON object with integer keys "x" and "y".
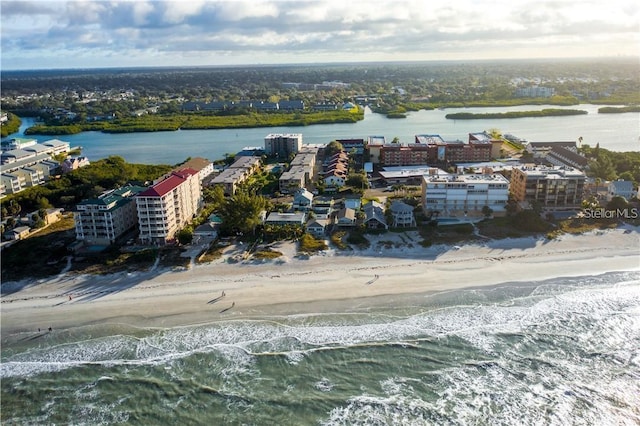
{"x": 102, "y": 220}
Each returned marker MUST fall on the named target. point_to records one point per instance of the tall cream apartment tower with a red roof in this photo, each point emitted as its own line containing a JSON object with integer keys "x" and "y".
{"x": 167, "y": 206}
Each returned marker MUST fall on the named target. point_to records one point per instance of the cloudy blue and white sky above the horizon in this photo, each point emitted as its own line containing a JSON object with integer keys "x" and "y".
{"x": 51, "y": 34}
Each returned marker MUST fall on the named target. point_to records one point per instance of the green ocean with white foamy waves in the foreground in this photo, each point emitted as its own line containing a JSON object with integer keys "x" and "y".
{"x": 564, "y": 351}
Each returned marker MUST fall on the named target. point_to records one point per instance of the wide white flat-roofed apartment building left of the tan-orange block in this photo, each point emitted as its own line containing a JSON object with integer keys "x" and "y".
{"x": 464, "y": 195}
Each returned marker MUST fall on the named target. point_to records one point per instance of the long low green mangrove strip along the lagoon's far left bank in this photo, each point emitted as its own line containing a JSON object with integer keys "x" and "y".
{"x": 157, "y": 123}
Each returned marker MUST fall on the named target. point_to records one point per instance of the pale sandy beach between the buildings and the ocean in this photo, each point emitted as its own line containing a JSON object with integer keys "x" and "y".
{"x": 350, "y": 281}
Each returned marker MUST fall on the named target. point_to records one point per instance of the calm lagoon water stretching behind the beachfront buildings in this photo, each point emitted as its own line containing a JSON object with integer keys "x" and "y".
{"x": 616, "y": 132}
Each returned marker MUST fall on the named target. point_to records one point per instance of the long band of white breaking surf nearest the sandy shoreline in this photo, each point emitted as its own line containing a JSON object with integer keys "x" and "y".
{"x": 480, "y": 324}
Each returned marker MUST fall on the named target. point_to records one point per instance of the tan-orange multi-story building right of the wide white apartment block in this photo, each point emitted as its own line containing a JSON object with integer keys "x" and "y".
{"x": 551, "y": 187}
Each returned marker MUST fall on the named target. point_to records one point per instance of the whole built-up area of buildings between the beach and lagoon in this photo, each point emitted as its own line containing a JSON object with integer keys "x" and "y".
{"x": 319, "y": 189}
